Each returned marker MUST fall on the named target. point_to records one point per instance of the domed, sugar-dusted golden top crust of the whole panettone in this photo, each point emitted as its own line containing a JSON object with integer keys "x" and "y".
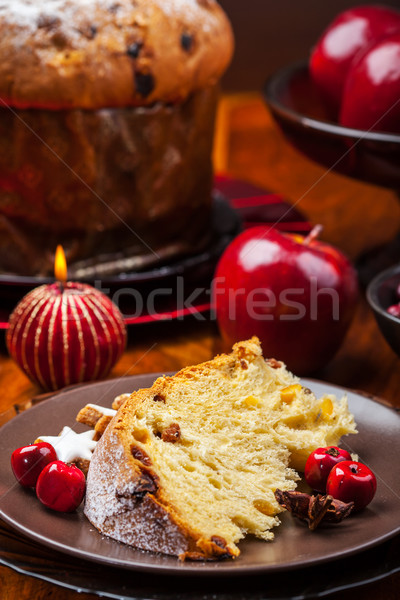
{"x": 62, "y": 54}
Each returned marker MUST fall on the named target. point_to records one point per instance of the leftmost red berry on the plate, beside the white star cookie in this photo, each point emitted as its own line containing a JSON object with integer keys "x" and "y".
{"x": 28, "y": 462}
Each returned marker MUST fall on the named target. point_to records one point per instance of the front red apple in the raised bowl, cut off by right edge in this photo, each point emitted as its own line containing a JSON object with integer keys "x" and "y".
{"x": 371, "y": 97}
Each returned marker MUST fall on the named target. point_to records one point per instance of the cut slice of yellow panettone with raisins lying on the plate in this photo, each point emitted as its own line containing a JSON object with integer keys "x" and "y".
{"x": 190, "y": 466}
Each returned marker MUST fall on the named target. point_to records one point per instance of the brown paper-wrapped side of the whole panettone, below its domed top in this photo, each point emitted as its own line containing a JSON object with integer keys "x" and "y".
{"x": 121, "y": 189}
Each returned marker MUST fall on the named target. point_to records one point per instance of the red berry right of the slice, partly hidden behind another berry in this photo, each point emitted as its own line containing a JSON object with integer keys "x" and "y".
{"x": 319, "y": 465}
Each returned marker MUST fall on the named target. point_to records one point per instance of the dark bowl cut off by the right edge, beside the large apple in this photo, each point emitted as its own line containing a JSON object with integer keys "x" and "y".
{"x": 381, "y": 293}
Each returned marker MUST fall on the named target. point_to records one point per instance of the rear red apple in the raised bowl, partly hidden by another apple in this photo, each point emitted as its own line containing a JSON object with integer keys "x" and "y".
{"x": 351, "y": 31}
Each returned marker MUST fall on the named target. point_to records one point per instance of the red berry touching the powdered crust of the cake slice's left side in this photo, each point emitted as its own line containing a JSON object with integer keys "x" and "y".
{"x": 61, "y": 487}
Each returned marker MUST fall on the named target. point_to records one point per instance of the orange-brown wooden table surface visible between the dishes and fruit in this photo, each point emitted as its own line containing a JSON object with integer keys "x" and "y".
{"x": 356, "y": 217}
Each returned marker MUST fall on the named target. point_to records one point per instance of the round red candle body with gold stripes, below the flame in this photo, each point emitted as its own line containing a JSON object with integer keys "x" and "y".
{"x": 65, "y": 333}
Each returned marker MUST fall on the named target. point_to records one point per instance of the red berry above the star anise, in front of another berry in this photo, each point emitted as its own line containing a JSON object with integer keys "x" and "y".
{"x": 352, "y": 481}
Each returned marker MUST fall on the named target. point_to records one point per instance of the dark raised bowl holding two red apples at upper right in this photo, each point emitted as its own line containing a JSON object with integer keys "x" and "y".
{"x": 305, "y": 120}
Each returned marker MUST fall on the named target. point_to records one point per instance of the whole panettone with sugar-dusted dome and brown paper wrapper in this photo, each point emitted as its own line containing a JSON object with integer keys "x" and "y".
{"x": 106, "y": 127}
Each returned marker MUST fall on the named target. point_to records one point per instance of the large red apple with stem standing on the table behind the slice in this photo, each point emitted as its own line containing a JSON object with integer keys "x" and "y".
{"x": 296, "y": 294}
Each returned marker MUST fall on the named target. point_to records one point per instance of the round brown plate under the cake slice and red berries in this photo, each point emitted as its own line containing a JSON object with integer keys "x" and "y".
{"x": 378, "y": 445}
